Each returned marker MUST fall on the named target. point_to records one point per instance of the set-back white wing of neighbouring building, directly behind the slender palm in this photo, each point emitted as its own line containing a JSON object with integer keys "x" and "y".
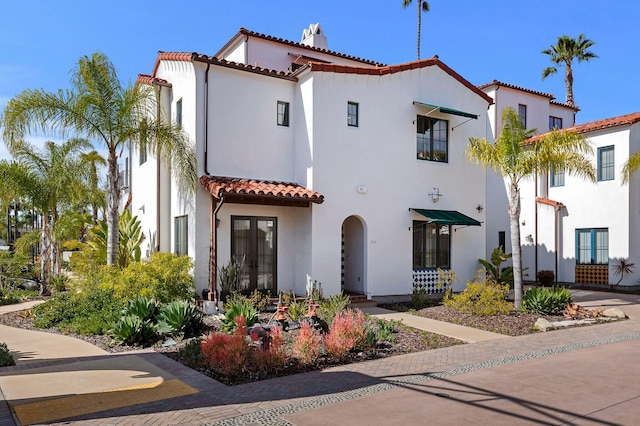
{"x": 538, "y": 111}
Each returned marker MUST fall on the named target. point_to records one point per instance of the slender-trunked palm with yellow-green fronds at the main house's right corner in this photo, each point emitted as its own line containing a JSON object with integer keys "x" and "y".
{"x": 514, "y": 159}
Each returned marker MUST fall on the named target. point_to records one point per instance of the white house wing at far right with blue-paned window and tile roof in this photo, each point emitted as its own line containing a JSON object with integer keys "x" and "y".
{"x": 577, "y": 228}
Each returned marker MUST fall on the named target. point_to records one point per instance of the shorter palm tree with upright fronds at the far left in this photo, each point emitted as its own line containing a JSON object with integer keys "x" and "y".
{"x": 48, "y": 177}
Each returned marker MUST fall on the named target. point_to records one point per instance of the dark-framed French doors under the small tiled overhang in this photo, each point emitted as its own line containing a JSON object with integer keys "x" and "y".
{"x": 254, "y": 239}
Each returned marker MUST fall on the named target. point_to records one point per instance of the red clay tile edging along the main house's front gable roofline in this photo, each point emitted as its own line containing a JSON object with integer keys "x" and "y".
{"x": 346, "y": 69}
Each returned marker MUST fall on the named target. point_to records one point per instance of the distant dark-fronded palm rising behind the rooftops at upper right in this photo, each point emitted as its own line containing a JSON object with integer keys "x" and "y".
{"x": 565, "y": 52}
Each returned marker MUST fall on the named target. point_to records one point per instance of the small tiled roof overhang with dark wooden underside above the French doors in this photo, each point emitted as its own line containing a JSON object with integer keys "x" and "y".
{"x": 253, "y": 191}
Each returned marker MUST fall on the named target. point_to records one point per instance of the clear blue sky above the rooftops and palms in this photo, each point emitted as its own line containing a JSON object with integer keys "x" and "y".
{"x": 41, "y": 41}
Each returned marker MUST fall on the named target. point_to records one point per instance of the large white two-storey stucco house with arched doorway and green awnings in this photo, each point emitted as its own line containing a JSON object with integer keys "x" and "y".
{"x": 317, "y": 162}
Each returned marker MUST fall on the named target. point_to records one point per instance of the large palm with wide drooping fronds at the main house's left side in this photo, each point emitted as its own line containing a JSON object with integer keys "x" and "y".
{"x": 100, "y": 108}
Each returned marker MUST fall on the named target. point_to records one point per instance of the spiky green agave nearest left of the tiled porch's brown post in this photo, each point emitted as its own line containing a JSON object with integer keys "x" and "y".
{"x": 180, "y": 318}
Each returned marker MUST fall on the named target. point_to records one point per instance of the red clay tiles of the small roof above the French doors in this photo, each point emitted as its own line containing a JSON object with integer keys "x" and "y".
{"x": 219, "y": 186}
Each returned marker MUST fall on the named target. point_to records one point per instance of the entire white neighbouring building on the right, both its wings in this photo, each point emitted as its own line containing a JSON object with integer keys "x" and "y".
{"x": 570, "y": 226}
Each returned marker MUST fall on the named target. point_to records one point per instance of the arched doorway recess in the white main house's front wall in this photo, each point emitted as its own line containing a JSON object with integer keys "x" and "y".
{"x": 353, "y": 256}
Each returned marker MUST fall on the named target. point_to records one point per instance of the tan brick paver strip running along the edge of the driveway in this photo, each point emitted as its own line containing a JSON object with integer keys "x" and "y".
{"x": 263, "y": 403}
